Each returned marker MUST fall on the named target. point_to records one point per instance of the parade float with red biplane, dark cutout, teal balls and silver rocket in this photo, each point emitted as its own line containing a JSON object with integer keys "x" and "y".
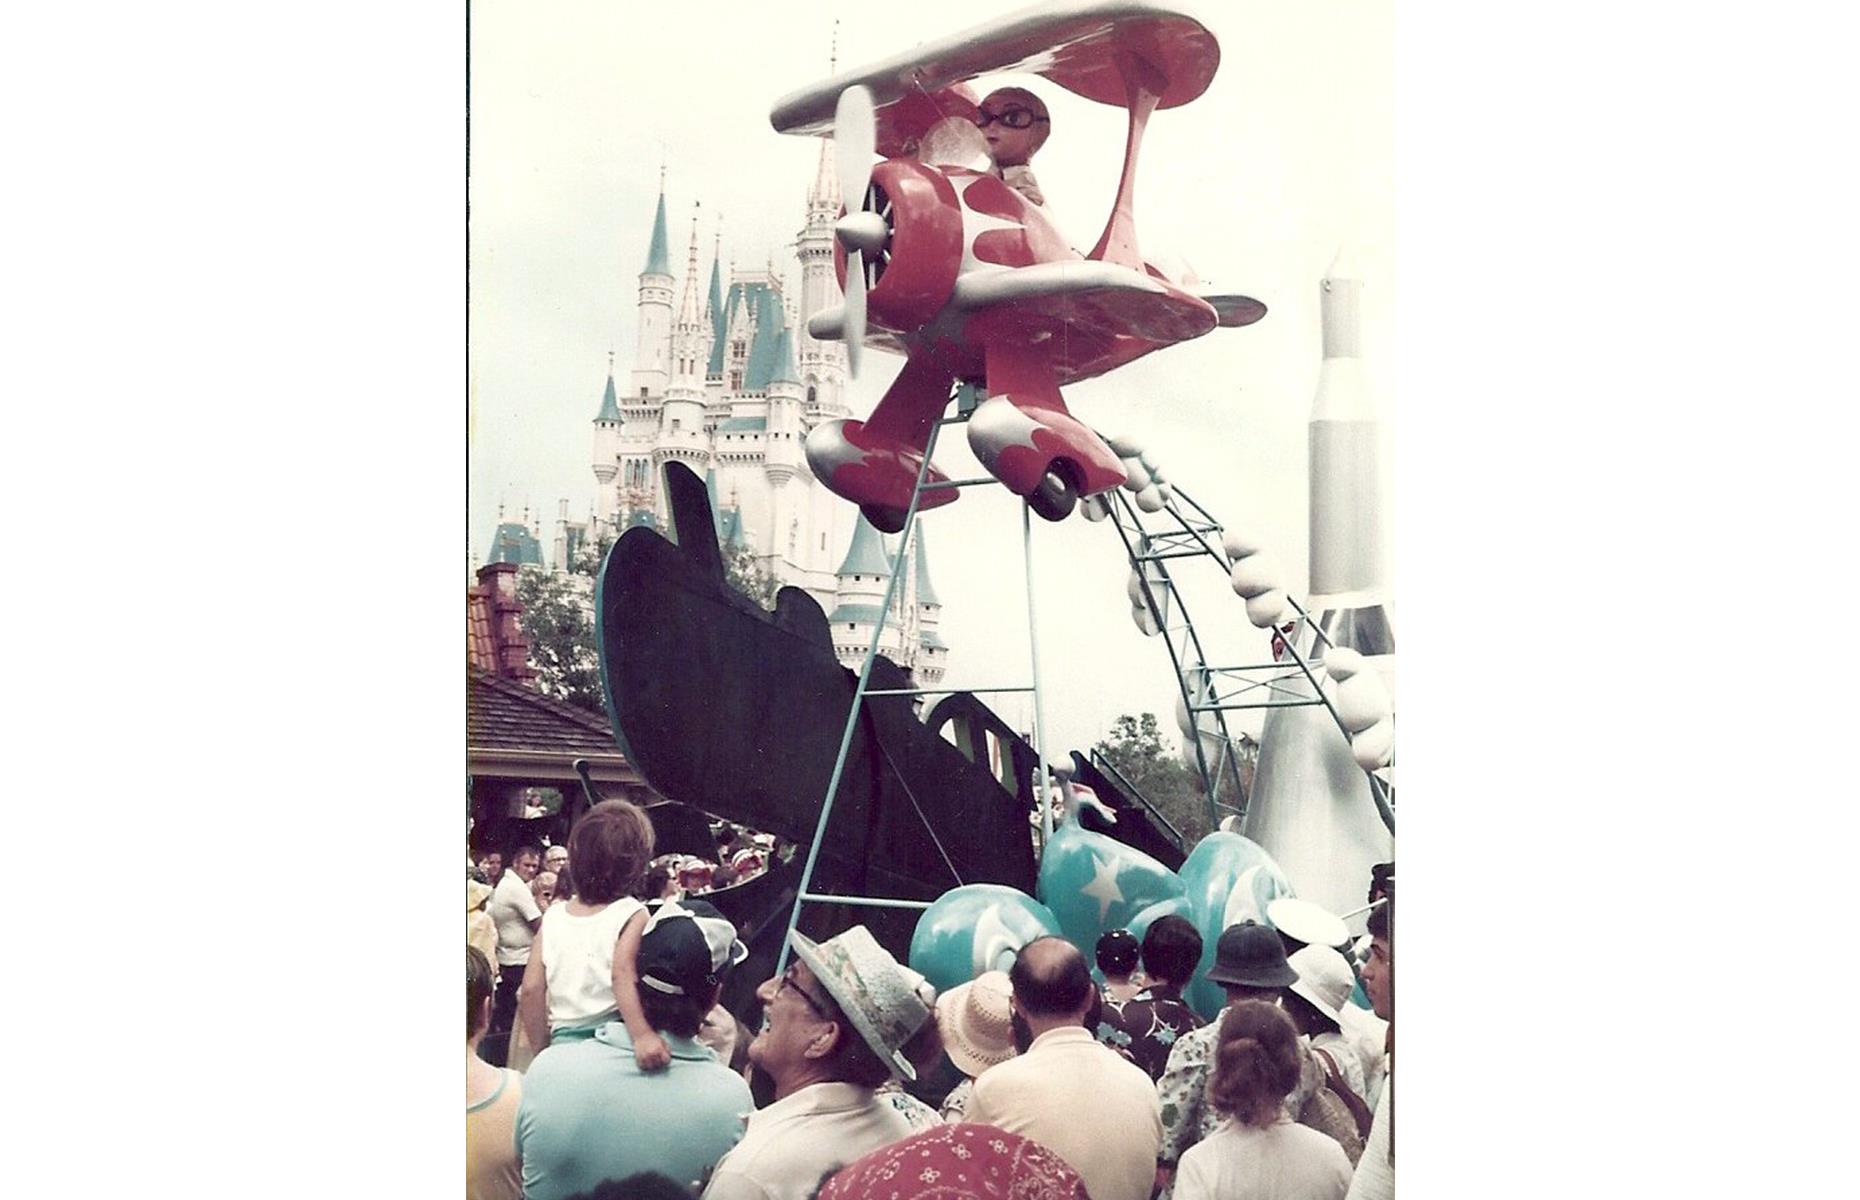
{"x": 905, "y": 820}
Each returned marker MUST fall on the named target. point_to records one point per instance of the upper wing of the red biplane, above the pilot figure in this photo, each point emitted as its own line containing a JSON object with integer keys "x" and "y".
{"x": 1074, "y": 44}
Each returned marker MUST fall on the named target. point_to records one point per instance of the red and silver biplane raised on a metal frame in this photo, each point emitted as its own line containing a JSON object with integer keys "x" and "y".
{"x": 950, "y": 267}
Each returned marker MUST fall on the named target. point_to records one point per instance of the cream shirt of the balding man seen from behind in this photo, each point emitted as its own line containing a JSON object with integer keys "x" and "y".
{"x": 1082, "y": 1100}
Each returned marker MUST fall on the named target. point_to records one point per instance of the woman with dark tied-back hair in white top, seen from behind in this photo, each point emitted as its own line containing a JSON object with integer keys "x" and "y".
{"x": 1258, "y": 1153}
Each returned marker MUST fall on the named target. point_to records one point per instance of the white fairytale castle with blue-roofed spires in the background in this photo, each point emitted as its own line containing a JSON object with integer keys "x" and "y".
{"x": 728, "y": 382}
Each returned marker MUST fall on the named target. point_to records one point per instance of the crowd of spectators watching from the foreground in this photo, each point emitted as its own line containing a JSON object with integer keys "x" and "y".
{"x": 1037, "y": 1084}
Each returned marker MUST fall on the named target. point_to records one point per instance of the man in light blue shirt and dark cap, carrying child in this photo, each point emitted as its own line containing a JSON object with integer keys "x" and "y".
{"x": 591, "y": 1113}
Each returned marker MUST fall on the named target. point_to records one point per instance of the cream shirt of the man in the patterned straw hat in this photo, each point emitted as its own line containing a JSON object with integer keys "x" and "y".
{"x": 795, "y": 1141}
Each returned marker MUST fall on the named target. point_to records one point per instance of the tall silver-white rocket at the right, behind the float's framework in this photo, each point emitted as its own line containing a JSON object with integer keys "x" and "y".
{"x": 1312, "y": 807}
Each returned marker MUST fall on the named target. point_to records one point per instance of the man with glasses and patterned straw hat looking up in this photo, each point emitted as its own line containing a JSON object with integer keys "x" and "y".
{"x": 838, "y": 1024}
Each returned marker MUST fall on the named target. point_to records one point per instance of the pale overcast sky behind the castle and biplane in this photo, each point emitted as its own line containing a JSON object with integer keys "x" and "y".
{"x": 1258, "y": 185}
